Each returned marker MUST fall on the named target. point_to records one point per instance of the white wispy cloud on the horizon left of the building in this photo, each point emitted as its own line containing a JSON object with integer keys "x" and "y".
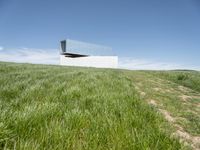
{"x": 28, "y": 55}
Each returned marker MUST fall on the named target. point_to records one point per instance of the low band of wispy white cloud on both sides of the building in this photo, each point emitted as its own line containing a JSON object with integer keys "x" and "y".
{"x": 51, "y": 56}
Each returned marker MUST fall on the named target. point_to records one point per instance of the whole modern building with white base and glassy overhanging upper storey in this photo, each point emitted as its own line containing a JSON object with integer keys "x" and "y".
{"x": 76, "y": 53}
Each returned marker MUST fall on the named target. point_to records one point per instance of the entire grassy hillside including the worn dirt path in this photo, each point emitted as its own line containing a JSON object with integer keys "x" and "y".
{"x": 55, "y": 107}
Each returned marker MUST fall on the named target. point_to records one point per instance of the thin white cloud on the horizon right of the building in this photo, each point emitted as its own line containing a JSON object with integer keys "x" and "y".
{"x": 142, "y": 64}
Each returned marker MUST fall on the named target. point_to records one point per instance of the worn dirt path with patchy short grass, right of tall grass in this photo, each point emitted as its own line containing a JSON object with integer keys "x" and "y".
{"x": 179, "y": 105}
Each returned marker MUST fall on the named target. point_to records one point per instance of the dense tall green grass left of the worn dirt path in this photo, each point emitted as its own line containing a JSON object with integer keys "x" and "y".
{"x": 53, "y": 107}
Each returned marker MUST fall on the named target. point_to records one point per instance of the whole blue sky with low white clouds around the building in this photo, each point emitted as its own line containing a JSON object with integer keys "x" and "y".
{"x": 156, "y": 34}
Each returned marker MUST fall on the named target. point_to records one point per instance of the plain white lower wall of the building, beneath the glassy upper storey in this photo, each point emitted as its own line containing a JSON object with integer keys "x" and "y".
{"x": 90, "y": 61}
